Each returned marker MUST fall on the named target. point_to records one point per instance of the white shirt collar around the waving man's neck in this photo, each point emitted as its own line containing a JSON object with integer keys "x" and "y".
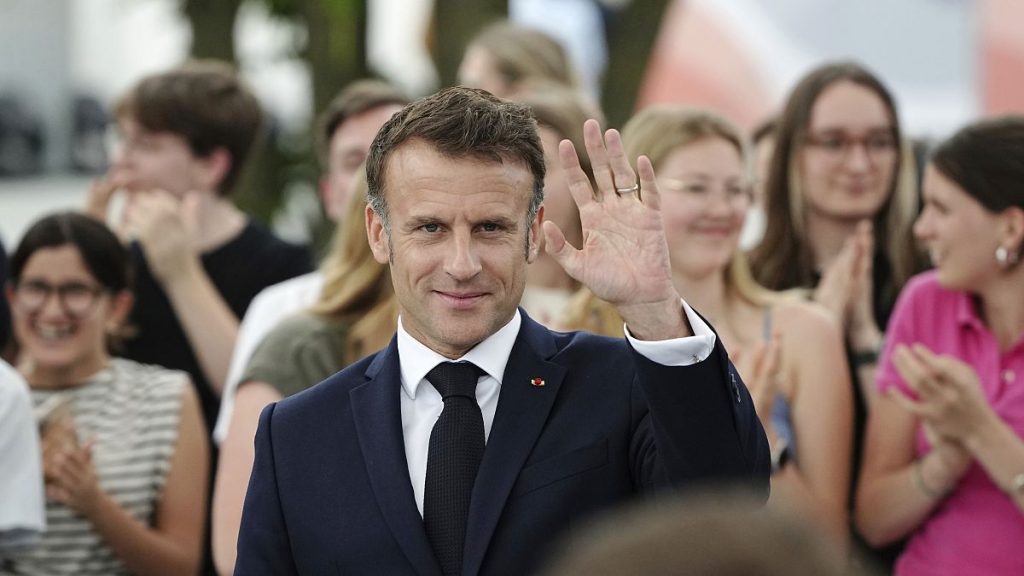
{"x": 415, "y": 359}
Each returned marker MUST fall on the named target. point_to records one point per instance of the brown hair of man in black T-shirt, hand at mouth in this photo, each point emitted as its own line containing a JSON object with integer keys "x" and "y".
{"x": 204, "y": 103}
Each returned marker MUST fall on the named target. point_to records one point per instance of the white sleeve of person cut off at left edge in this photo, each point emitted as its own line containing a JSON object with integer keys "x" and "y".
{"x": 22, "y": 505}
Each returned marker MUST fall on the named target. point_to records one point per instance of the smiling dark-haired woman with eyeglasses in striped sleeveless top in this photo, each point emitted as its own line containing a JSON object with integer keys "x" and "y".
{"x": 123, "y": 444}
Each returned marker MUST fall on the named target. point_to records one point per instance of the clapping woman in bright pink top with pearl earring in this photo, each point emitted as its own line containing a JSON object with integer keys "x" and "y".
{"x": 945, "y": 461}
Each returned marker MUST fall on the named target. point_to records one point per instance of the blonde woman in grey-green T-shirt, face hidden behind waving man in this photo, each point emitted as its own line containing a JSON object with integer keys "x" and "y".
{"x": 355, "y": 316}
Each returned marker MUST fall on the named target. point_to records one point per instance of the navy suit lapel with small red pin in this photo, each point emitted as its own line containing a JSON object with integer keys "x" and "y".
{"x": 523, "y": 412}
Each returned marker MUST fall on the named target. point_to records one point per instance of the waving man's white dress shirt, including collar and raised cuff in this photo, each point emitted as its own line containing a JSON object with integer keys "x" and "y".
{"x": 422, "y": 405}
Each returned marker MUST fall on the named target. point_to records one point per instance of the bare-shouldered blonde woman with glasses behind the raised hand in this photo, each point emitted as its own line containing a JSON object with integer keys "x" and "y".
{"x": 788, "y": 351}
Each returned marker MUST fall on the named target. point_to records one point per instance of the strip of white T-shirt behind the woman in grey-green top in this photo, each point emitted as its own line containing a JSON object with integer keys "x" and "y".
{"x": 272, "y": 306}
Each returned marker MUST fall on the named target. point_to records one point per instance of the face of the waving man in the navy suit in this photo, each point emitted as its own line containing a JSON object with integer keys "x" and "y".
{"x": 459, "y": 244}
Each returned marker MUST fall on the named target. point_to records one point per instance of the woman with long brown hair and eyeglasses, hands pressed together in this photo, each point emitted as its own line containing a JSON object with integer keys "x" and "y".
{"x": 840, "y": 200}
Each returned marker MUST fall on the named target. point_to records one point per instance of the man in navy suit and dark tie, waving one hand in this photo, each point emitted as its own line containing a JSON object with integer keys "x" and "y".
{"x": 573, "y": 424}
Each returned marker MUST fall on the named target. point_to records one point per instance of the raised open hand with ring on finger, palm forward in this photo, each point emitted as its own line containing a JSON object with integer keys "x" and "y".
{"x": 625, "y": 258}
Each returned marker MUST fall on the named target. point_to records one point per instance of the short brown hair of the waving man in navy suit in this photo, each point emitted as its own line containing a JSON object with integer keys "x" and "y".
{"x": 460, "y": 124}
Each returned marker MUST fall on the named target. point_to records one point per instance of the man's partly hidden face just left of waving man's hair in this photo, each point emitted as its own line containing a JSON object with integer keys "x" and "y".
{"x": 349, "y": 149}
